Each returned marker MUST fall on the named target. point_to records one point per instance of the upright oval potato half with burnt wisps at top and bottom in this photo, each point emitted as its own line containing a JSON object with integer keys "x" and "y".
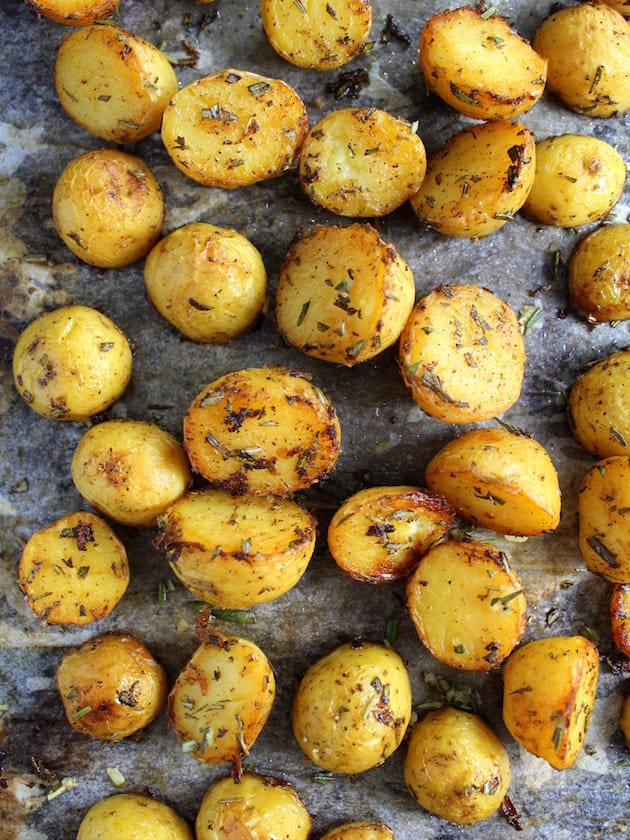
{"x": 222, "y": 699}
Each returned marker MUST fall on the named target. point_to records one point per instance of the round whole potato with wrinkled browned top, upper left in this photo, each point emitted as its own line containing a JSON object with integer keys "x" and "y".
{"x": 108, "y": 208}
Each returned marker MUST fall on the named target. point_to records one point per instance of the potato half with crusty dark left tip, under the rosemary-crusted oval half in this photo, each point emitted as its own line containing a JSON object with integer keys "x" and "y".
{"x": 237, "y": 551}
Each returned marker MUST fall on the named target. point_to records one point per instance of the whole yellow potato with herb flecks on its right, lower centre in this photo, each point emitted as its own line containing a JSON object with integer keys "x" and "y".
{"x": 352, "y": 707}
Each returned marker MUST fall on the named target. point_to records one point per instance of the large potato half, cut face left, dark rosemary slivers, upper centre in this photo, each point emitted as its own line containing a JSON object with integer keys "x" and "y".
{"x": 344, "y": 293}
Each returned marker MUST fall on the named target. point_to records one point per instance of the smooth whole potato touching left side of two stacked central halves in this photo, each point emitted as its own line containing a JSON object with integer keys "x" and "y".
{"x": 131, "y": 470}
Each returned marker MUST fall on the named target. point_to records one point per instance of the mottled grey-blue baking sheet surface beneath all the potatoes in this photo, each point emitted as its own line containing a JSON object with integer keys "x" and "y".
{"x": 385, "y": 438}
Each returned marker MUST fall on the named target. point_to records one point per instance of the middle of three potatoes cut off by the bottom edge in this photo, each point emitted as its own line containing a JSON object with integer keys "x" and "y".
{"x": 256, "y": 807}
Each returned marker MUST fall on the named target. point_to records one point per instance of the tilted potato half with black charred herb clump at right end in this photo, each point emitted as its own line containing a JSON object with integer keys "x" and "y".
{"x": 478, "y": 180}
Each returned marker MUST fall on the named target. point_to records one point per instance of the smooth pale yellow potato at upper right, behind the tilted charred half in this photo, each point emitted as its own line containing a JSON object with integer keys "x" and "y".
{"x": 579, "y": 179}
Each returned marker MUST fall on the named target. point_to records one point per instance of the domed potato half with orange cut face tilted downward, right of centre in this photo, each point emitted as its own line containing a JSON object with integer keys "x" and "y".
{"x": 499, "y": 480}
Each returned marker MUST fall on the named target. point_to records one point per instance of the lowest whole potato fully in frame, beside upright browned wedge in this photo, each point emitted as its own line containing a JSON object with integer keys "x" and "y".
{"x": 456, "y": 767}
